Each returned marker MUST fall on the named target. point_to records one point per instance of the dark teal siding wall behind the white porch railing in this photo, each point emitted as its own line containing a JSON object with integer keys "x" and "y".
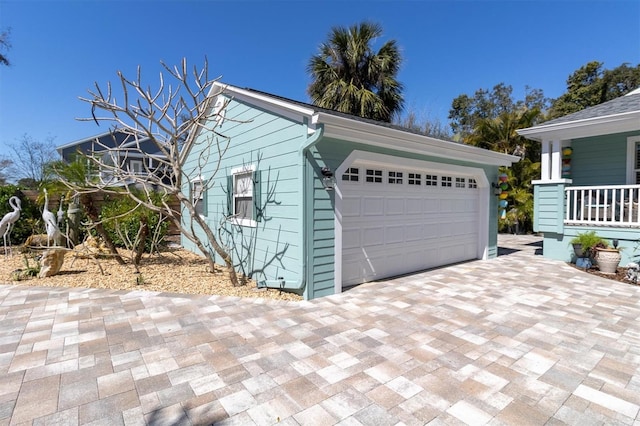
{"x": 600, "y": 160}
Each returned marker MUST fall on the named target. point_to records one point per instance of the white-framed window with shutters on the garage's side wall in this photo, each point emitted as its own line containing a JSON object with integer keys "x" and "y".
{"x": 244, "y": 196}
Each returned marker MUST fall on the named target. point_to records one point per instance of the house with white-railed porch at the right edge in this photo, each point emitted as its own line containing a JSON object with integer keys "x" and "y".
{"x": 590, "y": 177}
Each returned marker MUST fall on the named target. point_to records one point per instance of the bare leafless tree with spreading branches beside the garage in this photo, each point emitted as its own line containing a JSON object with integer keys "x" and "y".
{"x": 177, "y": 119}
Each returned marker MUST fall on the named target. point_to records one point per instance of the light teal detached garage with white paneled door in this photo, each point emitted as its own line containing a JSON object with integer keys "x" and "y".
{"x": 315, "y": 201}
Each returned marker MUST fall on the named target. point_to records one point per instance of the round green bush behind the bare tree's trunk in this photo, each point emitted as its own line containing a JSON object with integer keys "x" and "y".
{"x": 129, "y": 224}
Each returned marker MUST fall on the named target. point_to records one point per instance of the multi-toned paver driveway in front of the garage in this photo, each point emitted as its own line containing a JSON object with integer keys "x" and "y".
{"x": 516, "y": 340}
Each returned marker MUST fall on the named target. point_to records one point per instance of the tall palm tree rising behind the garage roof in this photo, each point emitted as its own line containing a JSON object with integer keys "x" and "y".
{"x": 348, "y": 76}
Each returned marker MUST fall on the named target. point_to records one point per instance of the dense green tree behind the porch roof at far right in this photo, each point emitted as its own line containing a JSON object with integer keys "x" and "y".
{"x": 591, "y": 85}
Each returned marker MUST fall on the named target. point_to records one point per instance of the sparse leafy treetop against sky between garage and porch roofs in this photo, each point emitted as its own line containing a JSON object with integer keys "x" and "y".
{"x": 466, "y": 111}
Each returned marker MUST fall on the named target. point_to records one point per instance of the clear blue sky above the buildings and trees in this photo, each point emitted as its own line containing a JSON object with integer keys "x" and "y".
{"x": 61, "y": 48}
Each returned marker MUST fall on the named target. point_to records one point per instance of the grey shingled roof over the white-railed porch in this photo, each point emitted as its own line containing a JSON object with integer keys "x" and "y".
{"x": 615, "y": 116}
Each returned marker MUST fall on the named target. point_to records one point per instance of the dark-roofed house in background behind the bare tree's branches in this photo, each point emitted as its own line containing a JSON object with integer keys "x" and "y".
{"x": 134, "y": 157}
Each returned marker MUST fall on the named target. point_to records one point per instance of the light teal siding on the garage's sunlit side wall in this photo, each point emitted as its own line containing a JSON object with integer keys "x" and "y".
{"x": 272, "y": 249}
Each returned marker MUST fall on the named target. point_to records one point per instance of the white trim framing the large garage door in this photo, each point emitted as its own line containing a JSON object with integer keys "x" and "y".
{"x": 368, "y": 158}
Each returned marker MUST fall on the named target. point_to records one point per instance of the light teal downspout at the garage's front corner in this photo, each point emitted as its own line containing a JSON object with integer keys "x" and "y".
{"x": 310, "y": 142}
